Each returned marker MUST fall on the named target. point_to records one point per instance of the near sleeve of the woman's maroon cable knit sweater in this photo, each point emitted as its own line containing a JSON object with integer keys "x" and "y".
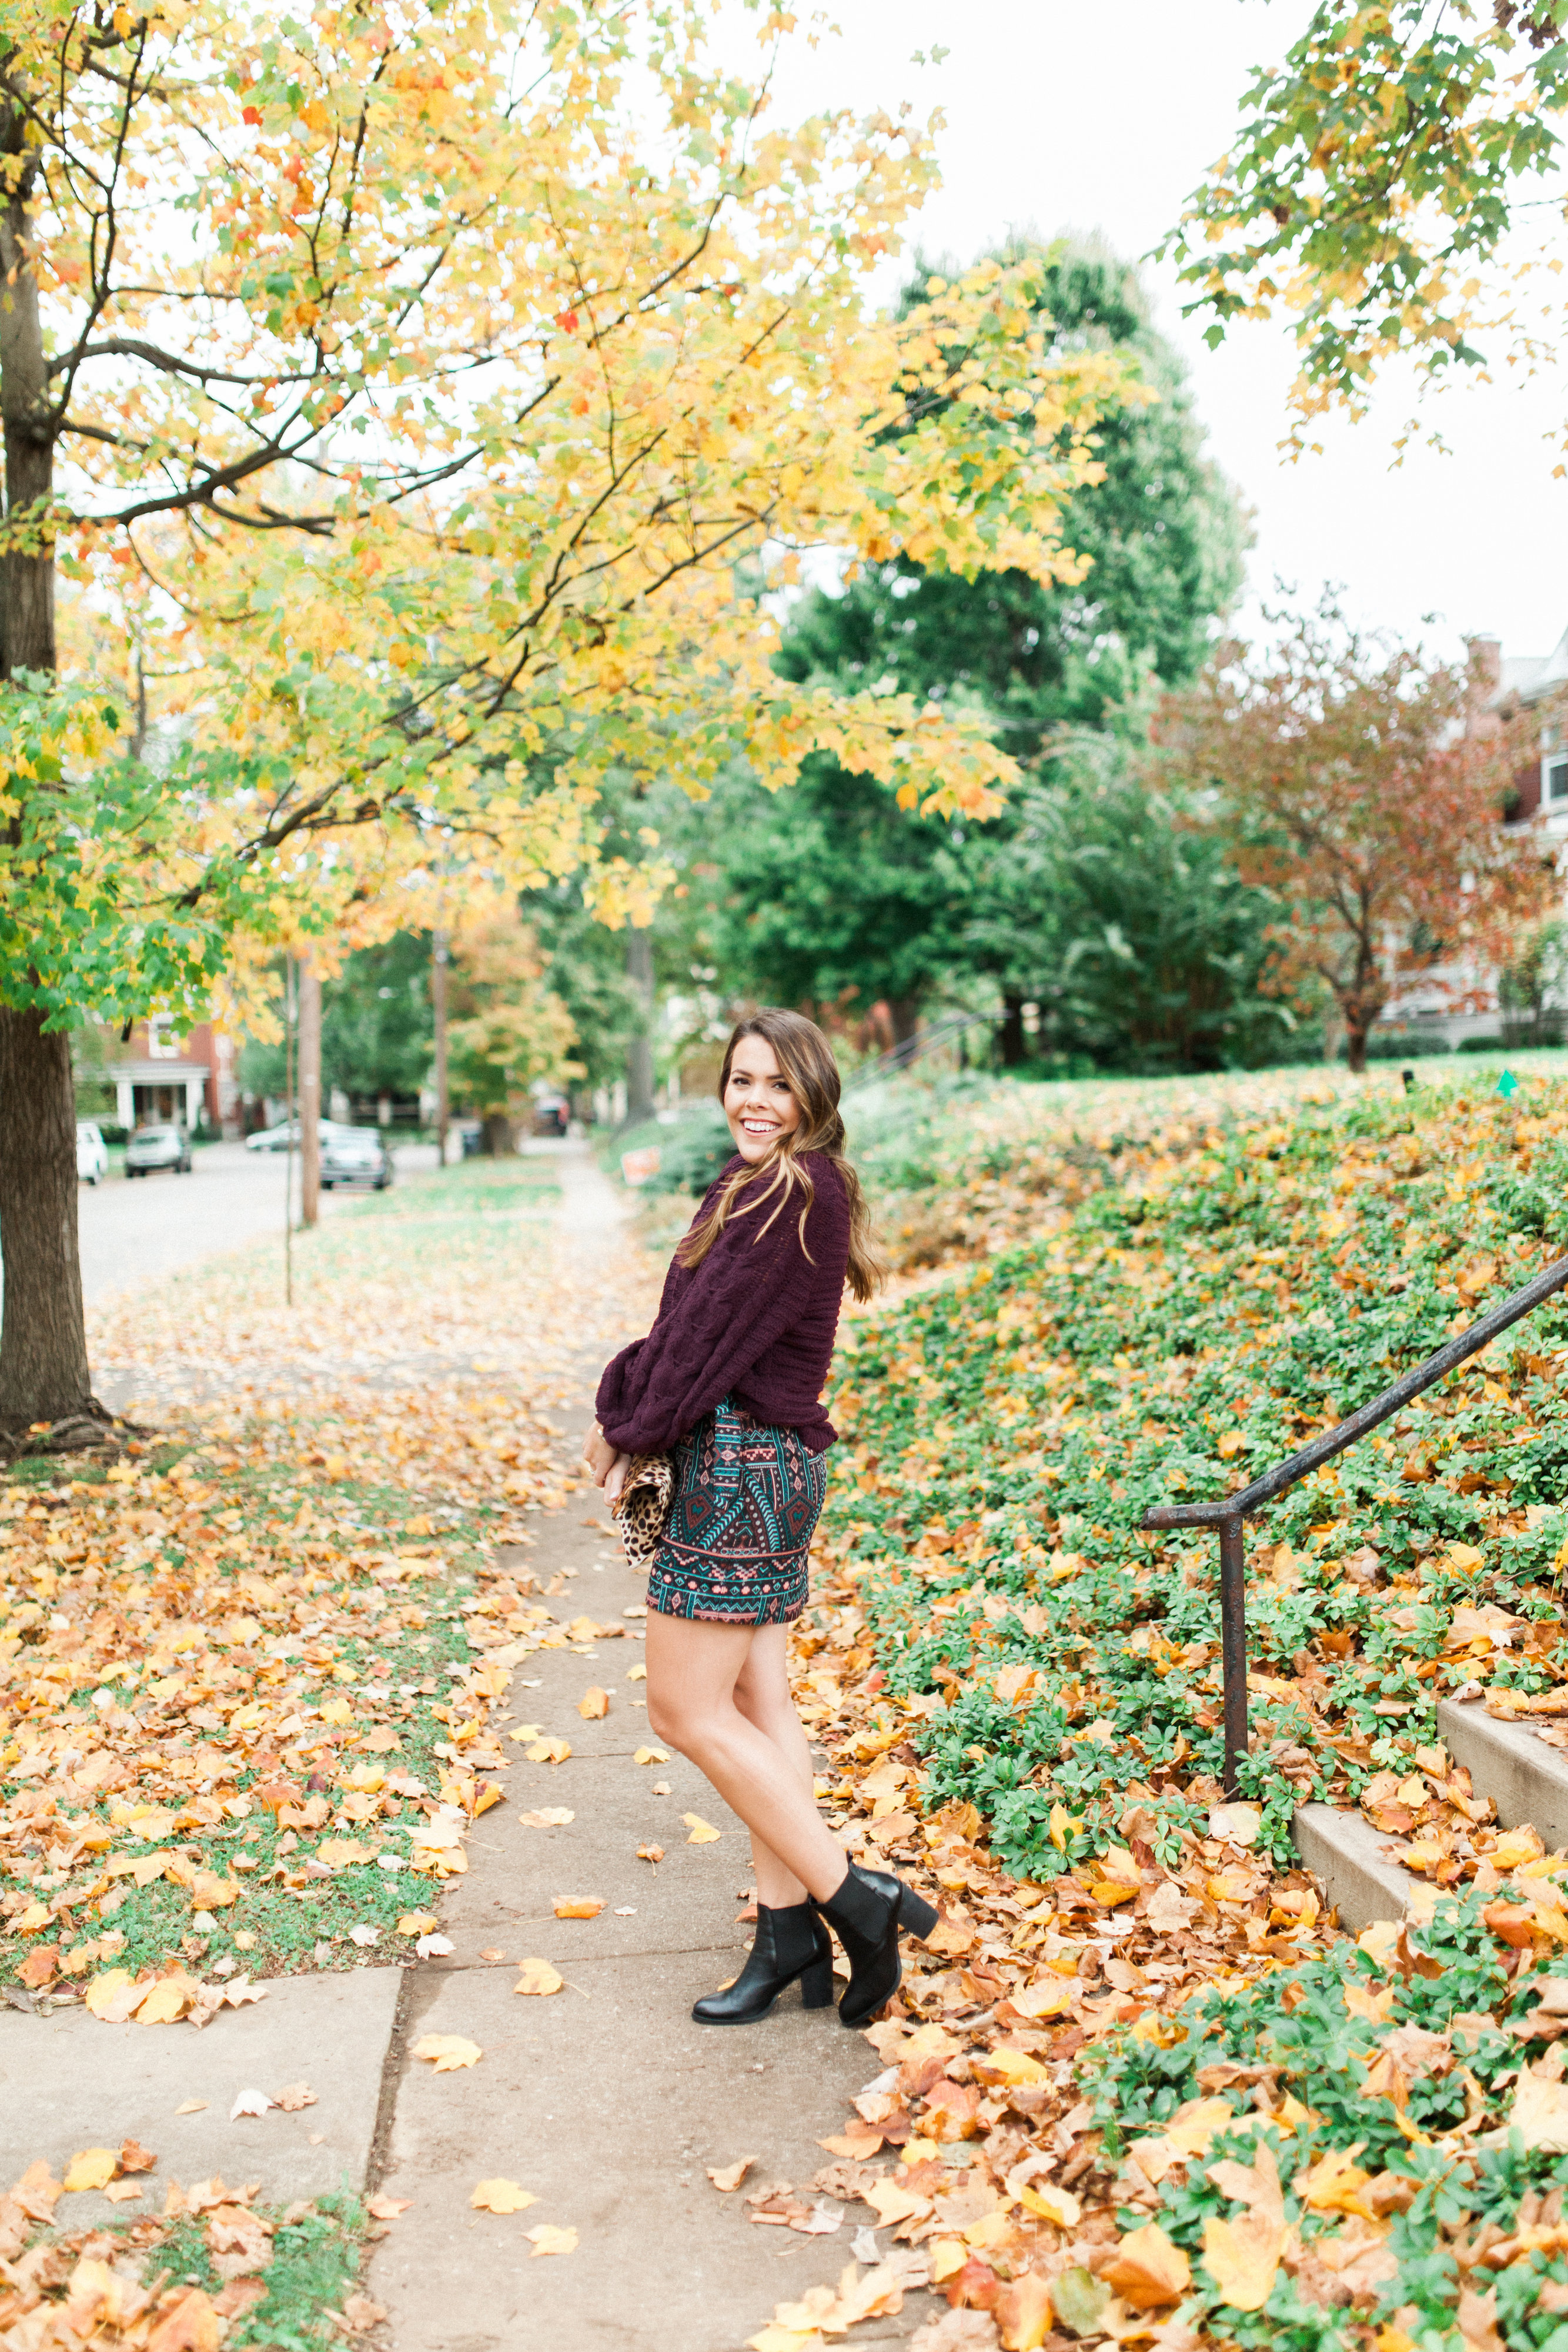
{"x": 728, "y": 1314}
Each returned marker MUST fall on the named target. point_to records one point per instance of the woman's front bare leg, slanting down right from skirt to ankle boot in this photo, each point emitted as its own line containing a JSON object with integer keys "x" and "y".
{"x": 695, "y": 1673}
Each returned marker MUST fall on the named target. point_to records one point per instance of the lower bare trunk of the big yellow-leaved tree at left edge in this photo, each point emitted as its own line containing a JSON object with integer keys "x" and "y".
{"x": 43, "y": 1349}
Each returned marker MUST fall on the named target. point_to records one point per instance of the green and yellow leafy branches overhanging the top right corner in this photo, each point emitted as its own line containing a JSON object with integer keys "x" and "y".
{"x": 1381, "y": 189}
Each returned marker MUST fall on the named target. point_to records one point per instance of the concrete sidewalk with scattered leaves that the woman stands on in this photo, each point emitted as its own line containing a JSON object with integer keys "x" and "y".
{"x": 605, "y": 2102}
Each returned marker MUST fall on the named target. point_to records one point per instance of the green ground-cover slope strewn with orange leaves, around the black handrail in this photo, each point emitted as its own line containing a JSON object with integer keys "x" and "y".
{"x": 1137, "y": 2087}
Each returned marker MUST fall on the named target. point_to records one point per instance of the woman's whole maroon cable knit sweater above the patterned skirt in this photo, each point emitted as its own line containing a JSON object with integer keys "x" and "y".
{"x": 756, "y": 1323}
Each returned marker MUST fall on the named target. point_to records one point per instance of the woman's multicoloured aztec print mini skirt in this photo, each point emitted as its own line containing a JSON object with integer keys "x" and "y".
{"x": 739, "y": 1530}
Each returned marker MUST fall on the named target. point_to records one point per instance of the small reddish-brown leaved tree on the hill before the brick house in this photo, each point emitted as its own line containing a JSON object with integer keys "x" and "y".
{"x": 1365, "y": 787}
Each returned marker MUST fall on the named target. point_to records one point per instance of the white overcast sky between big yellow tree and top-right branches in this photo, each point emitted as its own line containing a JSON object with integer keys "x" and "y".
{"x": 1078, "y": 116}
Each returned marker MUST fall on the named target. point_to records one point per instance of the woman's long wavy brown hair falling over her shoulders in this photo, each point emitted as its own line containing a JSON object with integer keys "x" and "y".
{"x": 808, "y": 1062}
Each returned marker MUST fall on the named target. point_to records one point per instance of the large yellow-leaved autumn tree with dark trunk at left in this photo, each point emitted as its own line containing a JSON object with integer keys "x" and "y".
{"x": 401, "y": 394}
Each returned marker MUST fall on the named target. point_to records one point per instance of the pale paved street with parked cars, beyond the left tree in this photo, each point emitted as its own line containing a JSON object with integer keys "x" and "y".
{"x": 135, "y": 1231}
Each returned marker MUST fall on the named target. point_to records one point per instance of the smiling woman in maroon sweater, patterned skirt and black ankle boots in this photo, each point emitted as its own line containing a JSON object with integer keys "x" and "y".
{"x": 730, "y": 1382}
